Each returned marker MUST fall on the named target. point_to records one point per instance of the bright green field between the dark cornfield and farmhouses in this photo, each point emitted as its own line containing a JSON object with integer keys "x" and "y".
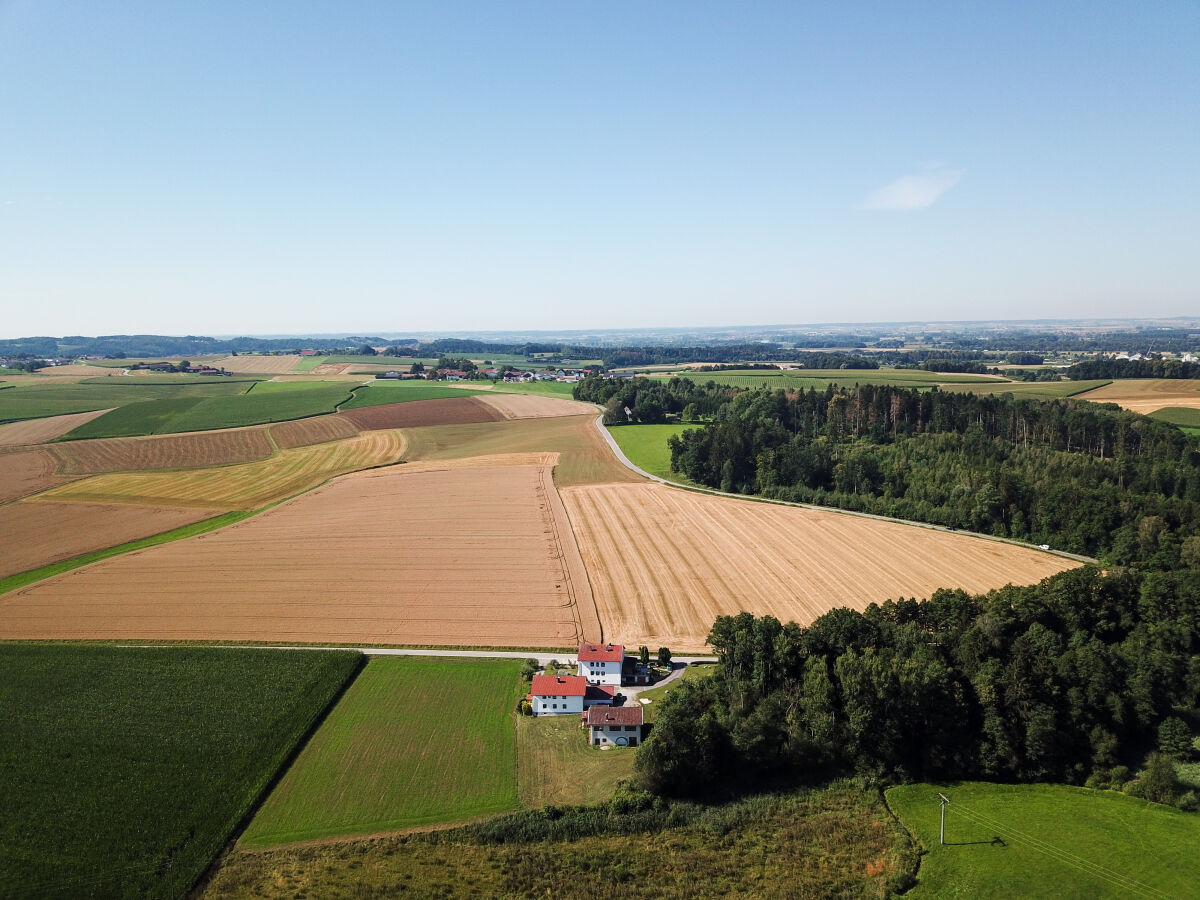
{"x": 415, "y": 742}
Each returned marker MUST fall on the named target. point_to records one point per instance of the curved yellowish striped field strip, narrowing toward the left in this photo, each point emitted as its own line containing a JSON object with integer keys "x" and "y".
{"x": 247, "y": 487}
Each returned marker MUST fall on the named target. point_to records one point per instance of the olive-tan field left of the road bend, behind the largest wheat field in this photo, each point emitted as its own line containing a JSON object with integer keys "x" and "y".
{"x": 585, "y": 458}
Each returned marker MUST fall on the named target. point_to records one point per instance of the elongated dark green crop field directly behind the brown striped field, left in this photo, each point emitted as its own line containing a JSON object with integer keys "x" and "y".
{"x": 261, "y": 403}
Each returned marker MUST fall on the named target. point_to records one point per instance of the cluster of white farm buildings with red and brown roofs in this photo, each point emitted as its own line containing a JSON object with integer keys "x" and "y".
{"x": 592, "y": 695}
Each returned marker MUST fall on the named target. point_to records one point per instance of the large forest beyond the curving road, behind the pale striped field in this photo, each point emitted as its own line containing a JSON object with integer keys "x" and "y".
{"x": 1081, "y": 477}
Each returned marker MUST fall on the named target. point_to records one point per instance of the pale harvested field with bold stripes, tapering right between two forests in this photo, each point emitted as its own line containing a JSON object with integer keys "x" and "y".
{"x": 665, "y": 562}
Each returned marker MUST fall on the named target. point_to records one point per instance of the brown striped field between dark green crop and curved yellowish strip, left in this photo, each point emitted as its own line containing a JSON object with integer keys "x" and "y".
{"x": 194, "y": 449}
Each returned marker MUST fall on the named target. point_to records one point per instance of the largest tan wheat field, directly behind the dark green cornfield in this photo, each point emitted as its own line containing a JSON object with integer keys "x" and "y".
{"x": 461, "y": 556}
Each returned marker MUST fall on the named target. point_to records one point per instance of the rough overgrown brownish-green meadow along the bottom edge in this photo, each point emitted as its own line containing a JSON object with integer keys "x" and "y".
{"x": 830, "y": 843}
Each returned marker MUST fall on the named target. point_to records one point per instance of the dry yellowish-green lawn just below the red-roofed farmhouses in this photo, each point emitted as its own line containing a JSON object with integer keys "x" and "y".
{"x": 557, "y": 766}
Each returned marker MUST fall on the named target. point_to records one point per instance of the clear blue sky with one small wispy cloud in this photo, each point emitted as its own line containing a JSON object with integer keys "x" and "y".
{"x": 391, "y": 167}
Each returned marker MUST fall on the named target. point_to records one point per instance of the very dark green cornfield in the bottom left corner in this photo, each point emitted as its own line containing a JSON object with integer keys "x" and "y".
{"x": 124, "y": 771}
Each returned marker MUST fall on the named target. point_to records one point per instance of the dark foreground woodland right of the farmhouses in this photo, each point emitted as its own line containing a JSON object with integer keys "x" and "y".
{"x": 1071, "y": 680}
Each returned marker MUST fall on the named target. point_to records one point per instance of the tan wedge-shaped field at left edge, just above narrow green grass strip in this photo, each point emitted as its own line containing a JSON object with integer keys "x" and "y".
{"x": 62, "y": 531}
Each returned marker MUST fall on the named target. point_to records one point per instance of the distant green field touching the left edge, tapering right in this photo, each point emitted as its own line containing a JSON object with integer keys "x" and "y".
{"x": 35, "y": 401}
